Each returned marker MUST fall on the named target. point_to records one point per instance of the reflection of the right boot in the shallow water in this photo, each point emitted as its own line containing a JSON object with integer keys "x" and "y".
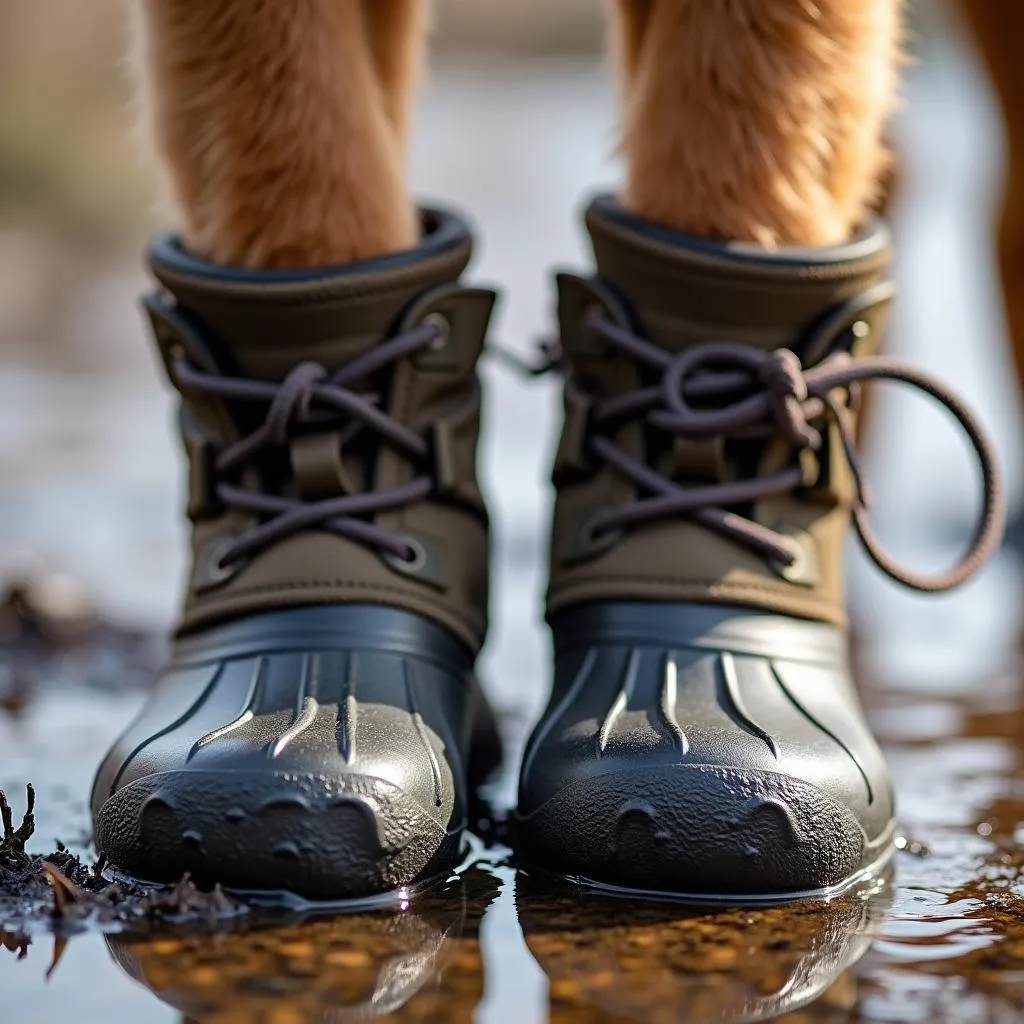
{"x": 627, "y": 960}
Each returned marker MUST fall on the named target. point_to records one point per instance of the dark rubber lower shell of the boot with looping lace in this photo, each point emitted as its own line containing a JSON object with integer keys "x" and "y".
{"x": 702, "y": 750}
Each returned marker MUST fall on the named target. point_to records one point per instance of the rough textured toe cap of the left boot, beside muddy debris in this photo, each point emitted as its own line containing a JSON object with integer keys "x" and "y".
{"x": 318, "y": 837}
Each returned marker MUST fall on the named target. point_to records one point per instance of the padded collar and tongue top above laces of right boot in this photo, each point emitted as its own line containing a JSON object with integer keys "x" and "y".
{"x": 684, "y": 291}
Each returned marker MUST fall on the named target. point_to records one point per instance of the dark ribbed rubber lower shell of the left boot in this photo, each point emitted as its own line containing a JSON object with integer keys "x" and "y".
{"x": 324, "y": 751}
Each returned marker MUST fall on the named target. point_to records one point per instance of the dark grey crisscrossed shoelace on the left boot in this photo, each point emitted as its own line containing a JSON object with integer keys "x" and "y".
{"x": 311, "y": 396}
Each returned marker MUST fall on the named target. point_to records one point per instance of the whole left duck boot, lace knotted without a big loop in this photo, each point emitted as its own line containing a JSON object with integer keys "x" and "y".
{"x": 319, "y": 729}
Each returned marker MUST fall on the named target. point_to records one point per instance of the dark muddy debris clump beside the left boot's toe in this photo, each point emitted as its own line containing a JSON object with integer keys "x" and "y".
{"x": 60, "y": 891}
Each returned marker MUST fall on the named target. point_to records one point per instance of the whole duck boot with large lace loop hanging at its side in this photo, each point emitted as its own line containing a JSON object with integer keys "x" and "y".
{"x": 704, "y": 737}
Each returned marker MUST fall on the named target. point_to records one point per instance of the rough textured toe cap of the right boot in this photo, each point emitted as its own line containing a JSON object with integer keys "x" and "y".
{"x": 697, "y": 829}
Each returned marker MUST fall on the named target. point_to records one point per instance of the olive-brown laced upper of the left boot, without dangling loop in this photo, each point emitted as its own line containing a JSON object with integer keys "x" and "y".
{"x": 326, "y": 347}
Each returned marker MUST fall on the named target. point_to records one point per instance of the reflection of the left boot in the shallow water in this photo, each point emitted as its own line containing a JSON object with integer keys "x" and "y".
{"x": 420, "y": 964}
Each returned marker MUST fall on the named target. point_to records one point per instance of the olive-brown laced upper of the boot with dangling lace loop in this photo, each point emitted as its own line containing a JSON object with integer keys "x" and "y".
{"x": 677, "y": 298}
